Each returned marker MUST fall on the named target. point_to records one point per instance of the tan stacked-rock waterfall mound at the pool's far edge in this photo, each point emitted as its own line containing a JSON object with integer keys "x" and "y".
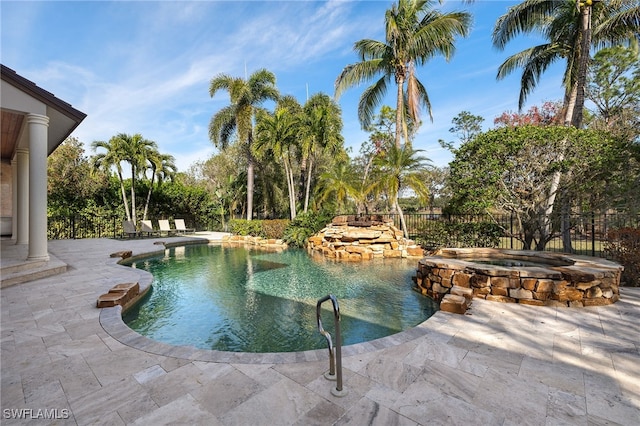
{"x": 357, "y": 238}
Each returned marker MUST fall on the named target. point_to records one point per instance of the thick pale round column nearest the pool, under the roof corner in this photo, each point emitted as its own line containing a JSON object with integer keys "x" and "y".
{"x": 38, "y": 130}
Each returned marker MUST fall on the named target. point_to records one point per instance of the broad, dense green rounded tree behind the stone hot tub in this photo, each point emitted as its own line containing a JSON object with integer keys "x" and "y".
{"x": 511, "y": 170}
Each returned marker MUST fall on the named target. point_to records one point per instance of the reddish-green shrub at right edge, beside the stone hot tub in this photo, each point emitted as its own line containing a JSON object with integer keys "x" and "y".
{"x": 623, "y": 246}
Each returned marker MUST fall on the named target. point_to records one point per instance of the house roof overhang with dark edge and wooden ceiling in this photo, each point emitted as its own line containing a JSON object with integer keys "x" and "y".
{"x": 63, "y": 118}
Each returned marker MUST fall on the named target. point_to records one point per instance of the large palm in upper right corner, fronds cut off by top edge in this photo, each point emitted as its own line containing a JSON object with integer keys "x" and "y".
{"x": 570, "y": 29}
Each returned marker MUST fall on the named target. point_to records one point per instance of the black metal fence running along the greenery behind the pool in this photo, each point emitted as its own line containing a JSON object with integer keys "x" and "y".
{"x": 587, "y": 232}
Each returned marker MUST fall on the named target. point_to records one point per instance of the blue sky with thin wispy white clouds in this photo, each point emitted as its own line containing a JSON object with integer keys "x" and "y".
{"x": 145, "y": 67}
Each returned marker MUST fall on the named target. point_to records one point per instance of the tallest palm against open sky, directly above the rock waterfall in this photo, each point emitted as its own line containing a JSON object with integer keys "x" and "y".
{"x": 414, "y": 33}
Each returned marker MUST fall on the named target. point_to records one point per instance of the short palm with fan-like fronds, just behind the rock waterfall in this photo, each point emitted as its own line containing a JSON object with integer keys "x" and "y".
{"x": 401, "y": 168}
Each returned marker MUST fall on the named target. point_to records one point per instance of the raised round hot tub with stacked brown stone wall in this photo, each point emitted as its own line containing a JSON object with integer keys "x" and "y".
{"x": 519, "y": 276}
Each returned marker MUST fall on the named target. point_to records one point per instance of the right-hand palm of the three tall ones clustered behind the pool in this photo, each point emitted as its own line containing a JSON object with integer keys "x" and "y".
{"x": 321, "y": 131}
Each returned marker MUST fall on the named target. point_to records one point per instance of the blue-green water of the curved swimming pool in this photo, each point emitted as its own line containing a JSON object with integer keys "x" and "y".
{"x": 240, "y": 300}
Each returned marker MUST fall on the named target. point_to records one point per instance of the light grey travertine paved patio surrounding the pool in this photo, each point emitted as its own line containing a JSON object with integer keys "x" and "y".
{"x": 500, "y": 365}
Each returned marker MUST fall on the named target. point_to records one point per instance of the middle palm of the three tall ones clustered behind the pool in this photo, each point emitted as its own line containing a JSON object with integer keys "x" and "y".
{"x": 278, "y": 133}
